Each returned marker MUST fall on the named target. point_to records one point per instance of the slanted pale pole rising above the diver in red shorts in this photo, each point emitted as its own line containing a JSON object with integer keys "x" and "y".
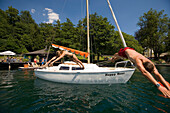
{"x": 122, "y": 38}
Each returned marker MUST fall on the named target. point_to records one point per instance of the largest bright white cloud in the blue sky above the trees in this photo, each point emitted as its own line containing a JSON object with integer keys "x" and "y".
{"x": 51, "y": 16}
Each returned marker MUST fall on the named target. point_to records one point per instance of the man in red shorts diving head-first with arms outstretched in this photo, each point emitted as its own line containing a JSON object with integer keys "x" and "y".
{"x": 145, "y": 66}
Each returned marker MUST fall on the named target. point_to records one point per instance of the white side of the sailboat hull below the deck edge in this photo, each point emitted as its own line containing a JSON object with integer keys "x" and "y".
{"x": 86, "y": 78}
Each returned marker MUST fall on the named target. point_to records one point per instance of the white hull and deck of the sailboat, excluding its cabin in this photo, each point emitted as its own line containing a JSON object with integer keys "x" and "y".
{"x": 87, "y": 76}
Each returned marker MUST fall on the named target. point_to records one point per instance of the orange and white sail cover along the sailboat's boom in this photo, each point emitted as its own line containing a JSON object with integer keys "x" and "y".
{"x": 85, "y": 54}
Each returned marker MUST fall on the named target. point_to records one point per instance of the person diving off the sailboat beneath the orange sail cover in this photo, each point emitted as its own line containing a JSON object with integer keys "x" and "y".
{"x": 60, "y": 54}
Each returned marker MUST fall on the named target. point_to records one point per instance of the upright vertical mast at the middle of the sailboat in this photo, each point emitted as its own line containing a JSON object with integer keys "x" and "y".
{"x": 88, "y": 39}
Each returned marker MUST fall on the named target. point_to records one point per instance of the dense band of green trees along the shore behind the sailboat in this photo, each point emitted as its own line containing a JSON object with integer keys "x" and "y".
{"x": 20, "y": 33}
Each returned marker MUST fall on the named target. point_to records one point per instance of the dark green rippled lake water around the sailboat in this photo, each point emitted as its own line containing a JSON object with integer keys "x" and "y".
{"x": 22, "y": 92}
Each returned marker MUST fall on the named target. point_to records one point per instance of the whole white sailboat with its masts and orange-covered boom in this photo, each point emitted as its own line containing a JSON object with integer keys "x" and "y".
{"x": 69, "y": 72}
